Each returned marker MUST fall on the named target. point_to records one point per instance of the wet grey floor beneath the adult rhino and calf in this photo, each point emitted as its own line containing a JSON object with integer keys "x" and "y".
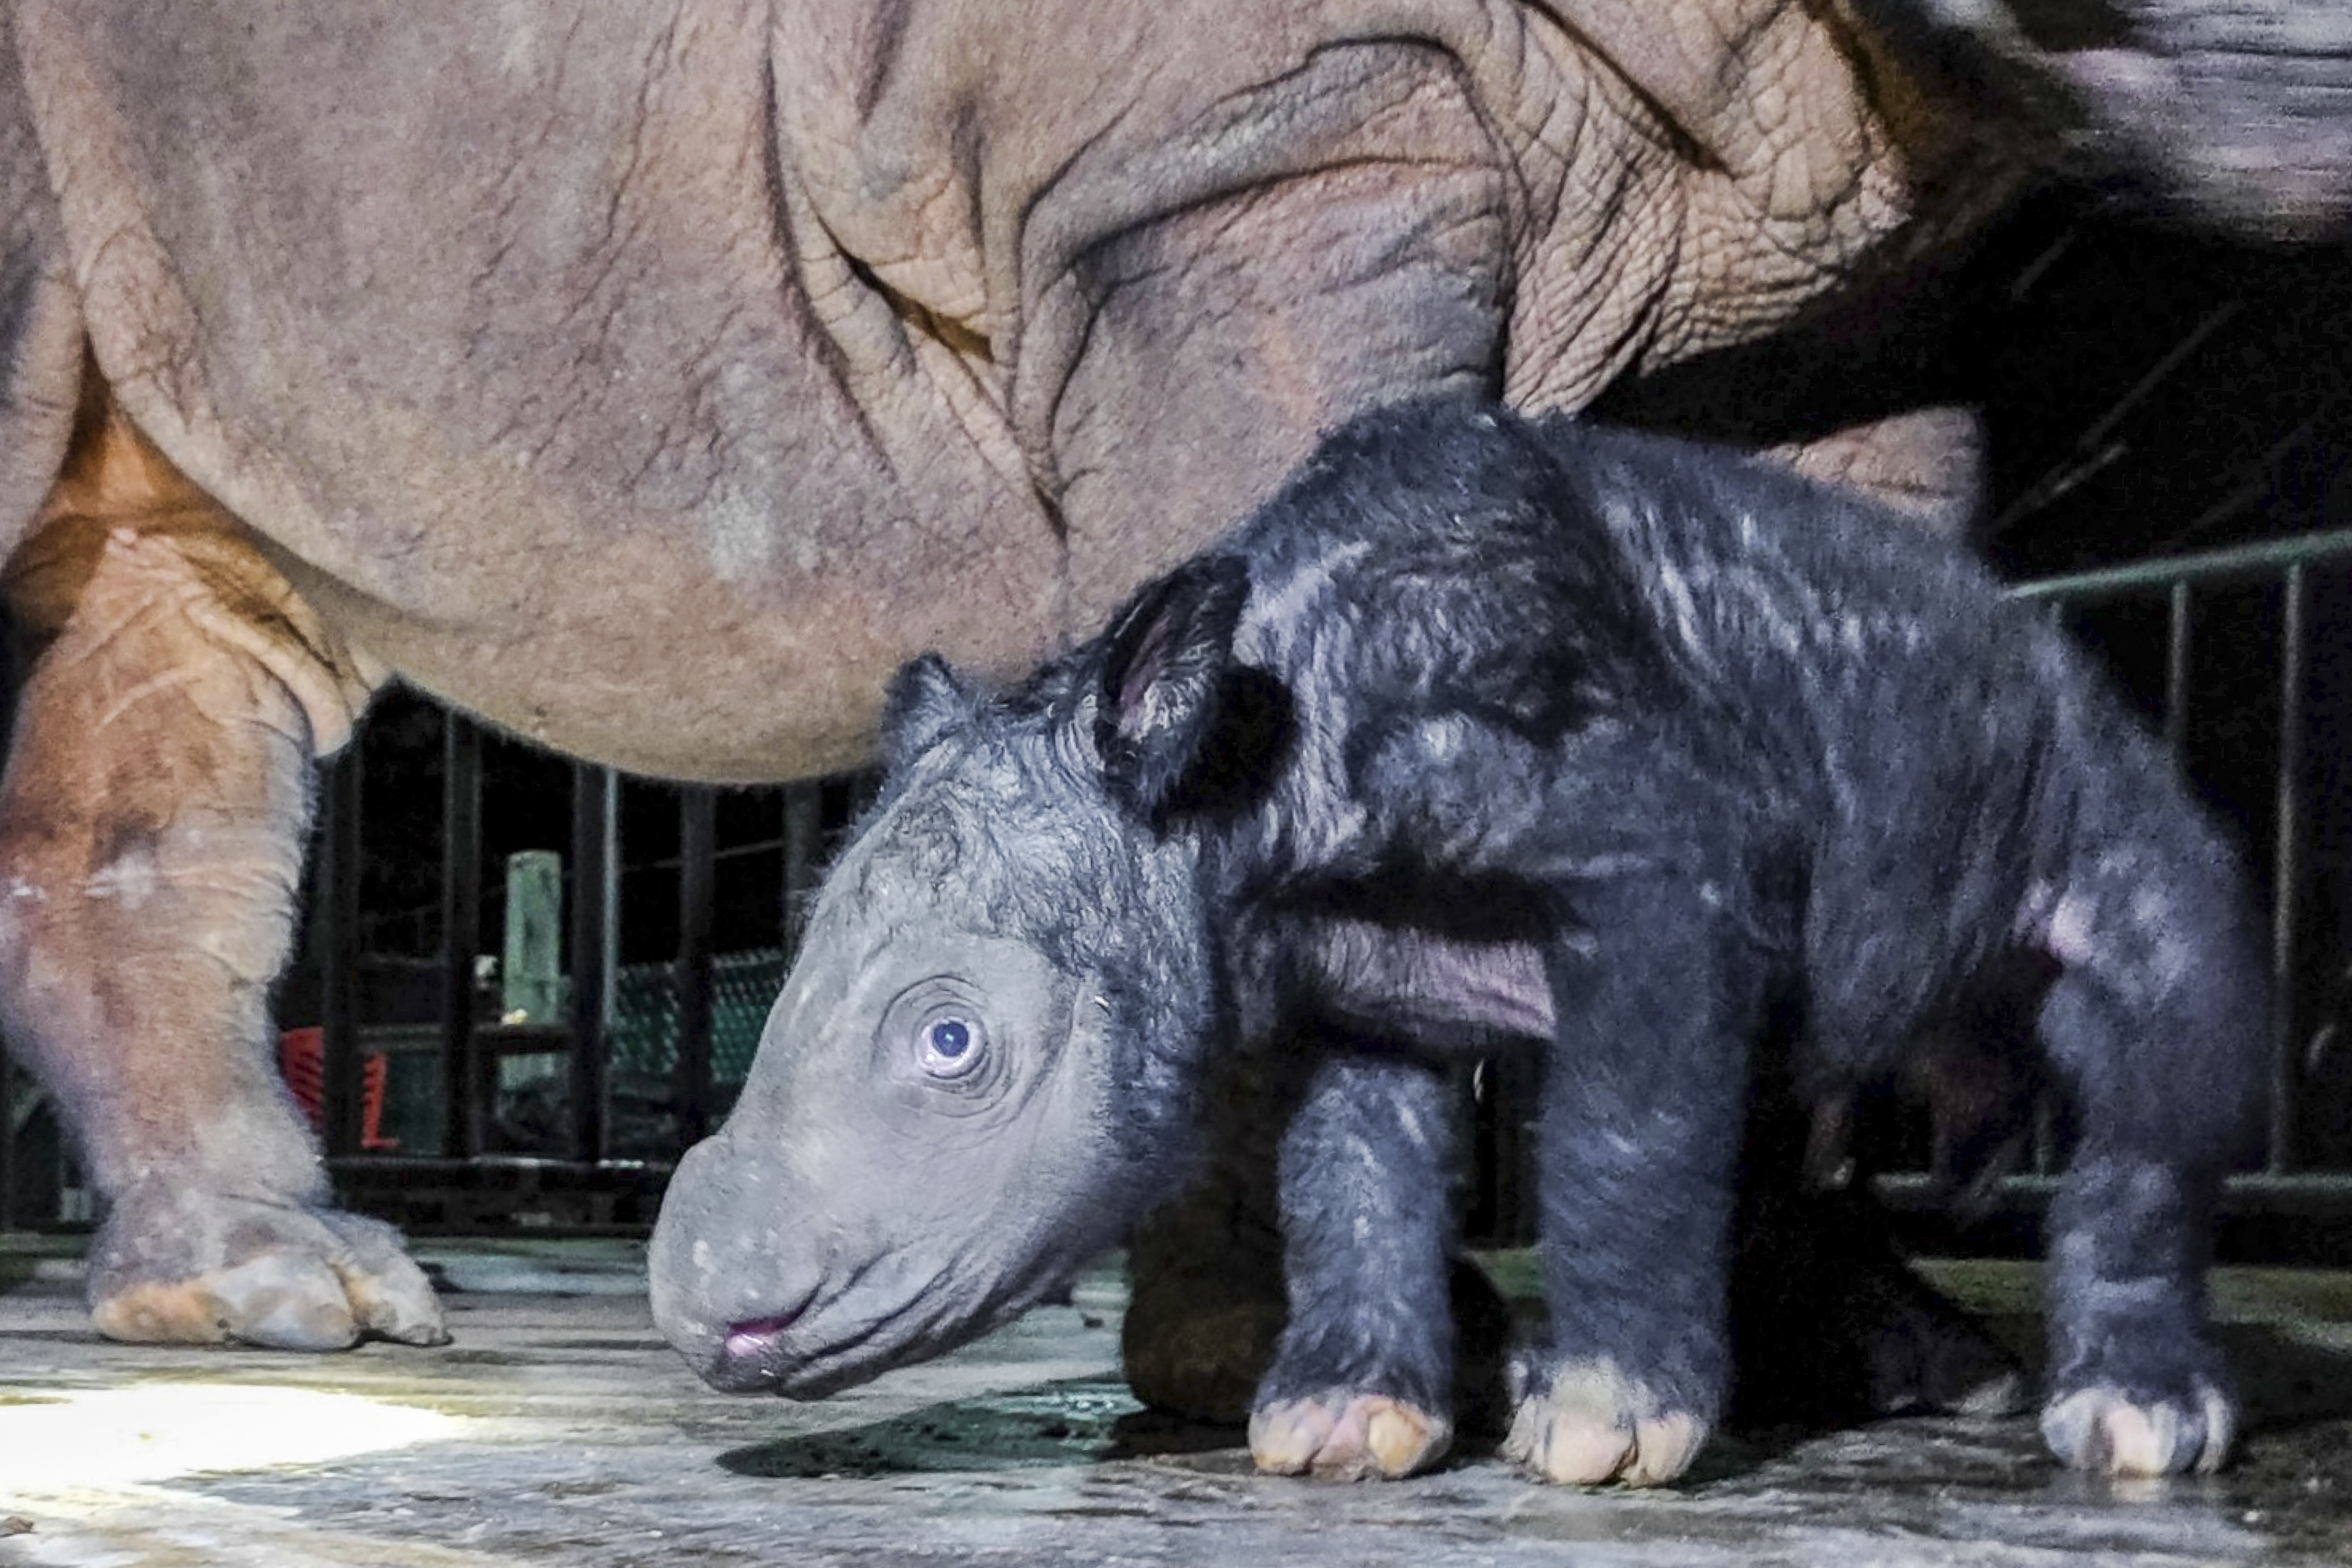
{"x": 561, "y": 1430}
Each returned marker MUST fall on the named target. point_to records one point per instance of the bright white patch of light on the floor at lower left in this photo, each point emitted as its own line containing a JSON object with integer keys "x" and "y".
{"x": 182, "y": 1428}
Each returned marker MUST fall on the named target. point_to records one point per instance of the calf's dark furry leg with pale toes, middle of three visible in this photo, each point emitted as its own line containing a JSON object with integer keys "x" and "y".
{"x": 1636, "y": 1179}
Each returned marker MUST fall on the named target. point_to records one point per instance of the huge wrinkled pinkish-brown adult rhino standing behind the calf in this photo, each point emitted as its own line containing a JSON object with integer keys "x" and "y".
{"x": 655, "y": 380}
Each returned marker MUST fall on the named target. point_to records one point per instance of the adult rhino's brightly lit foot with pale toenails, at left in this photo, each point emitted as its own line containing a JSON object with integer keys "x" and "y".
{"x": 206, "y": 1268}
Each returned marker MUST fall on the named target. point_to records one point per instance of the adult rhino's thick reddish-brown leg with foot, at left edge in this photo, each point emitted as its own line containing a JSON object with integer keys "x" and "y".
{"x": 152, "y": 831}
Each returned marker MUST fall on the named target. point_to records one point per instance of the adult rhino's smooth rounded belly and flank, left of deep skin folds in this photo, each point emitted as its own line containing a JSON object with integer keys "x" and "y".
{"x": 505, "y": 351}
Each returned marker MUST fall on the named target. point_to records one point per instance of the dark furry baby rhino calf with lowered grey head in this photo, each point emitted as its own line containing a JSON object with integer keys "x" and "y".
{"x": 1488, "y": 732}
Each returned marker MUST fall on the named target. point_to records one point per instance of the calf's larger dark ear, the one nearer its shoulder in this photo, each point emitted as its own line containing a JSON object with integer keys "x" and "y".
{"x": 1177, "y": 723}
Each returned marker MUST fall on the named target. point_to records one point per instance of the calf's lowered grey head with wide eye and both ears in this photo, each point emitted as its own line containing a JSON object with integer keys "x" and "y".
{"x": 980, "y": 1066}
